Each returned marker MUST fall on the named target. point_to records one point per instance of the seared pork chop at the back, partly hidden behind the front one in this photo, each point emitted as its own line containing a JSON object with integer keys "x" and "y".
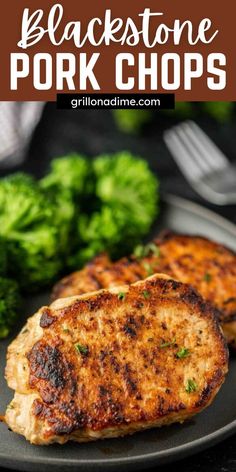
{"x": 208, "y": 266}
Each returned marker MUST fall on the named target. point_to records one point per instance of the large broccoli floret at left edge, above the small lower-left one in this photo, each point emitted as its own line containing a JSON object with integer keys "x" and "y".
{"x": 28, "y": 222}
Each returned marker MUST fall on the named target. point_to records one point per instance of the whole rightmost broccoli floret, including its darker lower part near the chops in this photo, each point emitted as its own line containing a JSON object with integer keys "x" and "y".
{"x": 127, "y": 193}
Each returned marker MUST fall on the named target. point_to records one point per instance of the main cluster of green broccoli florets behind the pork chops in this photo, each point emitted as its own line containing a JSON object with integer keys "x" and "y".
{"x": 68, "y": 211}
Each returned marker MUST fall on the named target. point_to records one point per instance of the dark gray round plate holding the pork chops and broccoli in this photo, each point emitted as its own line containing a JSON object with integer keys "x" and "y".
{"x": 151, "y": 447}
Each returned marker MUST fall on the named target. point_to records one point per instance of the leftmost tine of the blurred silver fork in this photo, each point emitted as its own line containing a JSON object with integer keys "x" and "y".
{"x": 191, "y": 171}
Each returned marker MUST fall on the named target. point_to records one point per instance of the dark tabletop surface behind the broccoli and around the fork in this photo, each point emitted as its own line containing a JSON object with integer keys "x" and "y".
{"x": 94, "y": 132}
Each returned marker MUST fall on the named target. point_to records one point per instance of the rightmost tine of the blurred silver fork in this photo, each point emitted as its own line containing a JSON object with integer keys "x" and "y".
{"x": 214, "y": 158}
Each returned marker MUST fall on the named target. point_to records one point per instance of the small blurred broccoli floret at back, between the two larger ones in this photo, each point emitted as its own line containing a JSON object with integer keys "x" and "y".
{"x": 70, "y": 174}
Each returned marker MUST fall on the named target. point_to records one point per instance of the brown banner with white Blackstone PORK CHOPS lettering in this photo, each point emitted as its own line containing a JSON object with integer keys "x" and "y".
{"x": 117, "y": 47}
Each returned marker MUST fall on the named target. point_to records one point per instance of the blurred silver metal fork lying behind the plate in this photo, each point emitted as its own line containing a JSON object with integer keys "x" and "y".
{"x": 205, "y": 167}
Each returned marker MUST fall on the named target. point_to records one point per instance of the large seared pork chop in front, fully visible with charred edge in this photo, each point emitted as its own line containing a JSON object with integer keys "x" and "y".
{"x": 113, "y": 362}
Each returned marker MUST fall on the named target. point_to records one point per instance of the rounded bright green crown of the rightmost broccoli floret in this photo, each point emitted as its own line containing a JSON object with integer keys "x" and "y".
{"x": 126, "y": 182}
